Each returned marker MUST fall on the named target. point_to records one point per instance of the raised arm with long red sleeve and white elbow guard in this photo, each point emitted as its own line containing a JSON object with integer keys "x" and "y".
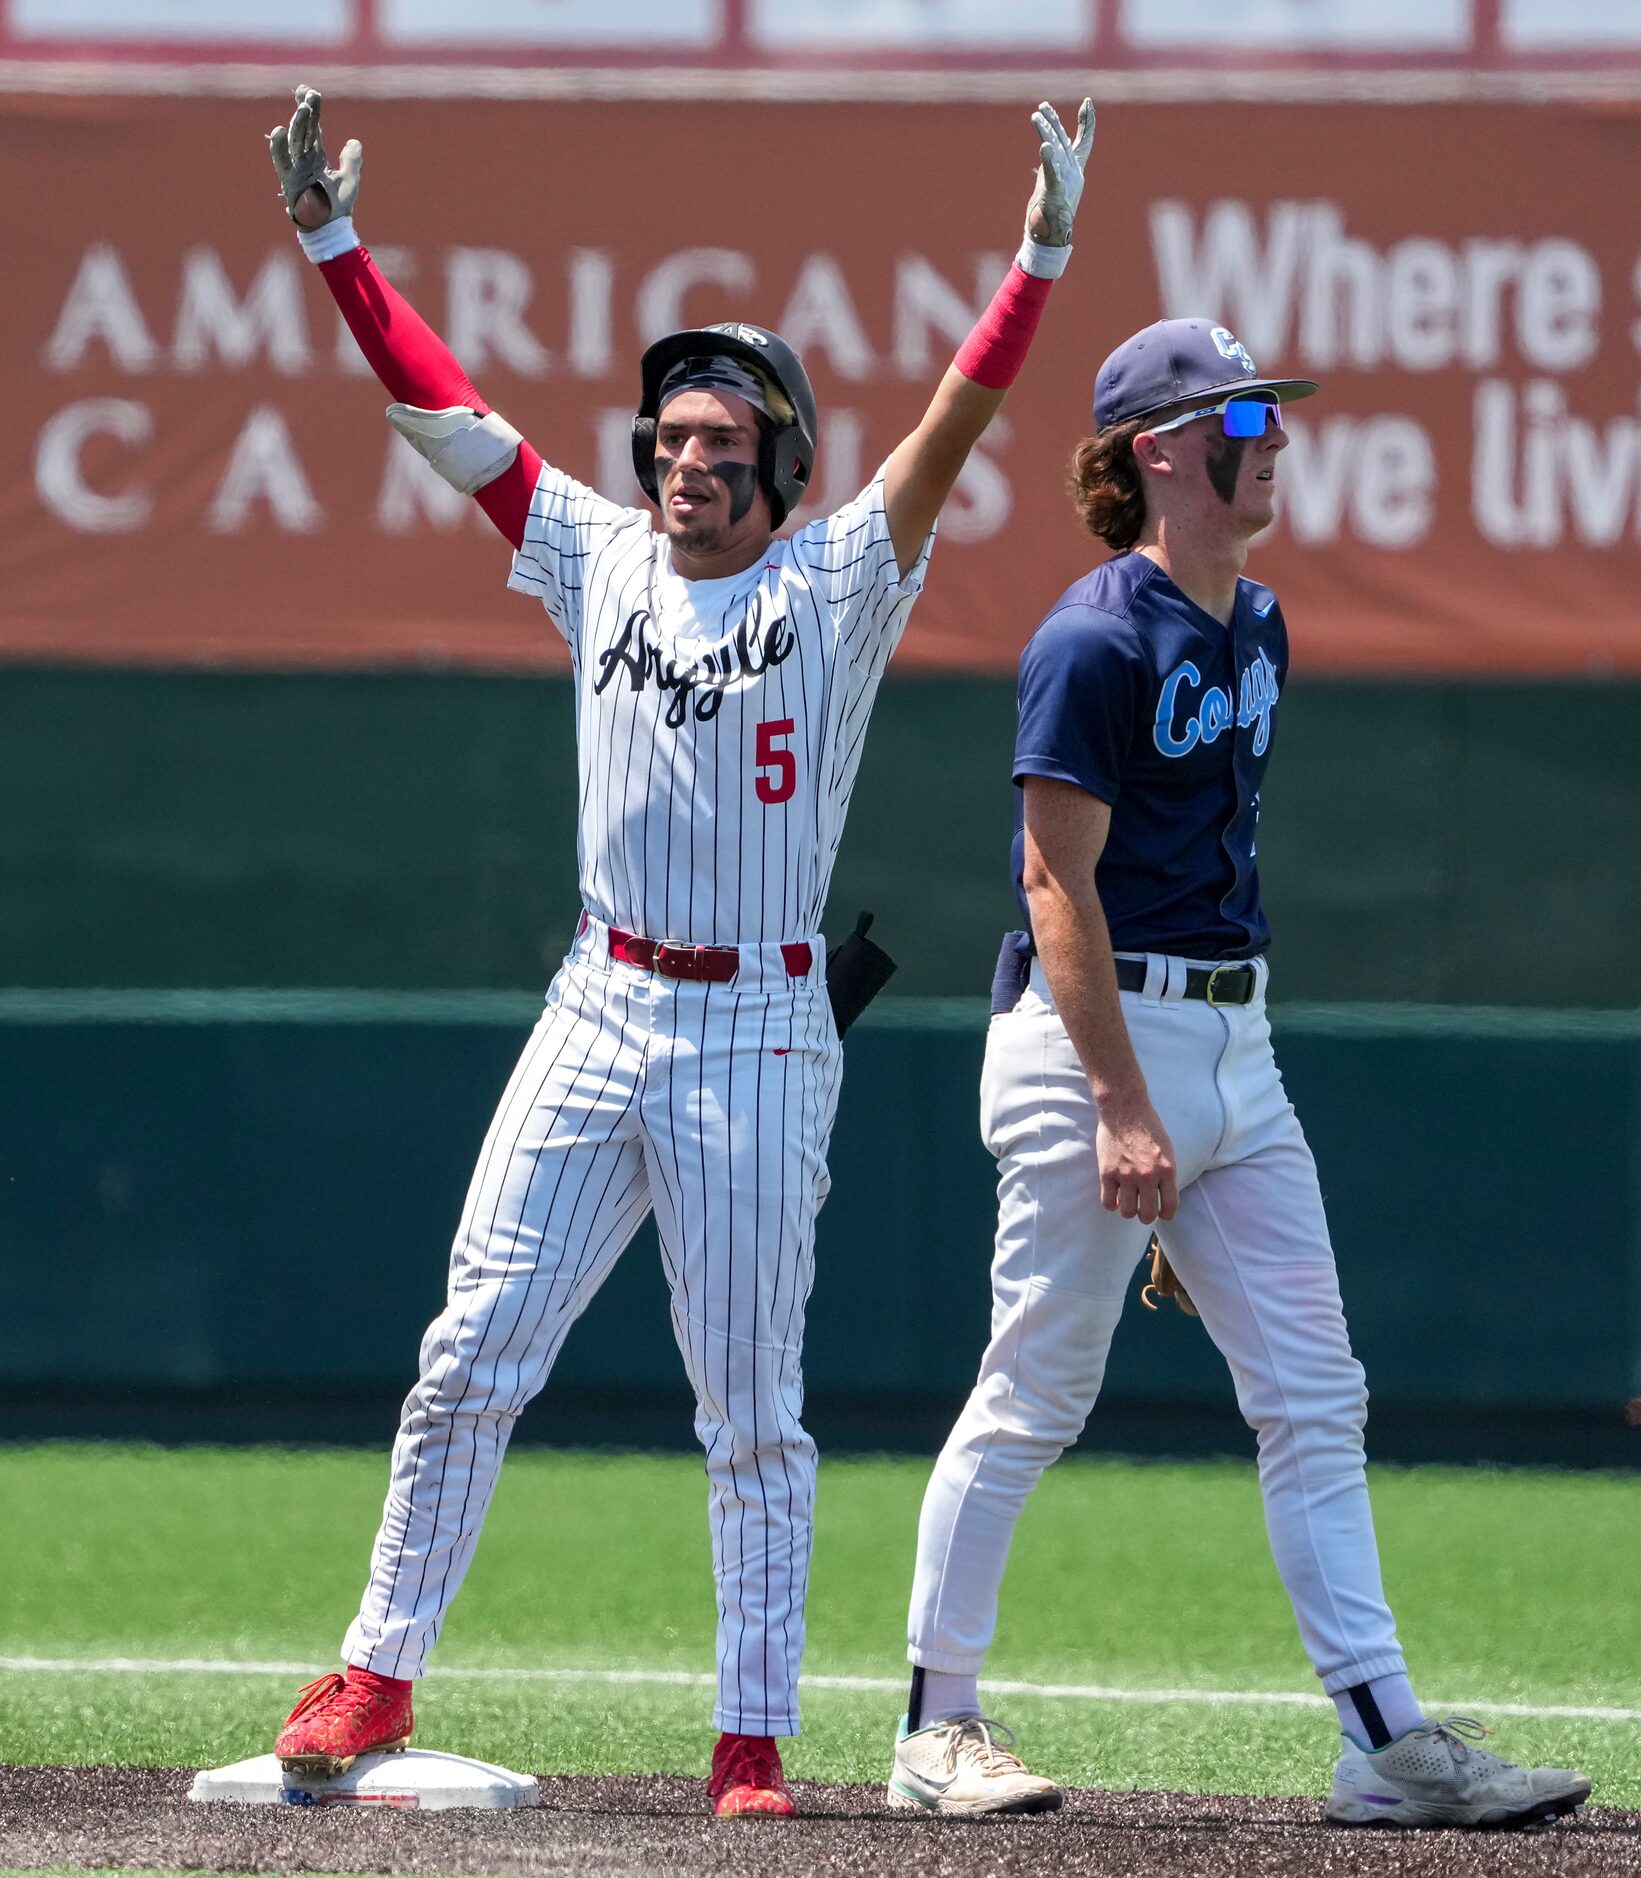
{"x": 437, "y": 407}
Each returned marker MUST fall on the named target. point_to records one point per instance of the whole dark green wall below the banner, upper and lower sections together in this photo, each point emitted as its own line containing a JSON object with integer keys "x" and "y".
{"x": 239, "y": 1203}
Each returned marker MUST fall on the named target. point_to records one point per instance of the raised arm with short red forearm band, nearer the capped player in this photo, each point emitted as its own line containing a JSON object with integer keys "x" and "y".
{"x": 927, "y": 465}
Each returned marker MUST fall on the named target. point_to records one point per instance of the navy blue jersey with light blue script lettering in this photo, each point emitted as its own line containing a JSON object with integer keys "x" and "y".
{"x": 1133, "y": 692}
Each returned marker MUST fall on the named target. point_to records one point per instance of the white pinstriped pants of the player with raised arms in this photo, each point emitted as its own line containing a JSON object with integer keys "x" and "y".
{"x": 714, "y": 1105}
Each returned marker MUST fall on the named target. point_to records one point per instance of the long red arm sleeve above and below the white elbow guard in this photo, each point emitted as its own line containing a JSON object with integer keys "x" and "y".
{"x": 416, "y": 367}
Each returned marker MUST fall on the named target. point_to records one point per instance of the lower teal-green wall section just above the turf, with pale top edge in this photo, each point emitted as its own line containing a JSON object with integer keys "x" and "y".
{"x": 245, "y": 1203}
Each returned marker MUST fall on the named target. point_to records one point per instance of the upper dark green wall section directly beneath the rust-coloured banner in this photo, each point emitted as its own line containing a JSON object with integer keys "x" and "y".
{"x": 1435, "y": 842}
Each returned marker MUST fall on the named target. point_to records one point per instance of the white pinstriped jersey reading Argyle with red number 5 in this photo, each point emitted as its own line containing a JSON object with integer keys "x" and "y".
{"x": 718, "y": 722}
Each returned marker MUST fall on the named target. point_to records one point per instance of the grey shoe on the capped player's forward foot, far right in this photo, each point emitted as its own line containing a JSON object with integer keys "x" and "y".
{"x": 1435, "y": 1776}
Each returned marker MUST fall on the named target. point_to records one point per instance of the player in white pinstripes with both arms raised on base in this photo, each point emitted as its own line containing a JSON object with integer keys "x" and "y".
{"x": 688, "y": 1060}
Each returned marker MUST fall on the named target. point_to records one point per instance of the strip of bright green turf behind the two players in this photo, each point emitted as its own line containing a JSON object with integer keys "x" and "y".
{"x": 1511, "y": 1588}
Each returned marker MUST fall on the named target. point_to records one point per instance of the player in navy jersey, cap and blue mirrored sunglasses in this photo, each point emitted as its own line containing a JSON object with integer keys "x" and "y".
{"x": 1129, "y": 1090}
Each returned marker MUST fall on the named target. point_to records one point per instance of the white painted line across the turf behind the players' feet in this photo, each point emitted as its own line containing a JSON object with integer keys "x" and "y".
{"x": 855, "y": 1686}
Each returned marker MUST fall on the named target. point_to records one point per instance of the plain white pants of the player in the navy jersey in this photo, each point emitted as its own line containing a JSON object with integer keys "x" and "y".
{"x": 1250, "y": 1244}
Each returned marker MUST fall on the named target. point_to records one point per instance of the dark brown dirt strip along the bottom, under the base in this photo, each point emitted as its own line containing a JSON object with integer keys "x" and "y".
{"x": 656, "y": 1826}
